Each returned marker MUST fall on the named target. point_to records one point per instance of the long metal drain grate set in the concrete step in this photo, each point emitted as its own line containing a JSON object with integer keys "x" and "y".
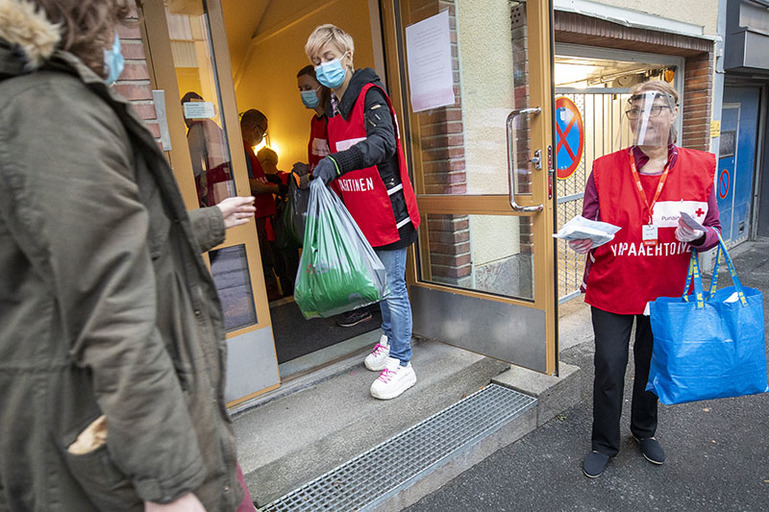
{"x": 377, "y": 474}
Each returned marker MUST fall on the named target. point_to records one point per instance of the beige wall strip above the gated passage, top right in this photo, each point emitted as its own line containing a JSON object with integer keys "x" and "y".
{"x": 697, "y": 12}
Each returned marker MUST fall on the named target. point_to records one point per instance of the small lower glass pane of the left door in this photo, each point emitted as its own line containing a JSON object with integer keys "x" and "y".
{"x": 229, "y": 267}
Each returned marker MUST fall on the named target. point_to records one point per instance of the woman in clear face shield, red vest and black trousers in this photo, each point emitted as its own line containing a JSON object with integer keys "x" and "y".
{"x": 643, "y": 189}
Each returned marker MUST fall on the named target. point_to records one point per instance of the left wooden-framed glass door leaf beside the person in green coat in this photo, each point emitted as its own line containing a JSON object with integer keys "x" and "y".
{"x": 199, "y": 127}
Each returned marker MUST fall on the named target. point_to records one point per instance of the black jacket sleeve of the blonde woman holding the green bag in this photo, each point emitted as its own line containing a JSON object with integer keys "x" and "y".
{"x": 379, "y": 145}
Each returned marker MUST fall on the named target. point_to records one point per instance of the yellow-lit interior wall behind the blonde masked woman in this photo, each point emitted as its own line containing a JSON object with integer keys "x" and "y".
{"x": 267, "y": 80}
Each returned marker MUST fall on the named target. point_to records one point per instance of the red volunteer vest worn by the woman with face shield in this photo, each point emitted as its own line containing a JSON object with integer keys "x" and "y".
{"x": 626, "y": 274}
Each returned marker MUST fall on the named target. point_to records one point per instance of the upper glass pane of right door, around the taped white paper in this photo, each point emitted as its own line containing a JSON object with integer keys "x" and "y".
{"x": 462, "y": 148}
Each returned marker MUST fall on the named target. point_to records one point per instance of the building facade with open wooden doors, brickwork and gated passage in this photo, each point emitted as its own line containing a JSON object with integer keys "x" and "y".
{"x": 483, "y": 166}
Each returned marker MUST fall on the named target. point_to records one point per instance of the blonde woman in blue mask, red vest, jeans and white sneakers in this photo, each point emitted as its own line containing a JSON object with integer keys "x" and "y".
{"x": 367, "y": 168}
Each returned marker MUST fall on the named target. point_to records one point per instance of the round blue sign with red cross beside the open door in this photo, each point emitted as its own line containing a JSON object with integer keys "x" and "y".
{"x": 569, "y": 137}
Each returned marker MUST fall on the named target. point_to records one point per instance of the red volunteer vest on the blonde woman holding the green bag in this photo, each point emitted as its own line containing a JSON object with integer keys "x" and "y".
{"x": 363, "y": 191}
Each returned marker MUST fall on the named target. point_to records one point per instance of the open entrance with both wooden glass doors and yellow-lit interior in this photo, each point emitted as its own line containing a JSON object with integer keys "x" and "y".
{"x": 245, "y": 54}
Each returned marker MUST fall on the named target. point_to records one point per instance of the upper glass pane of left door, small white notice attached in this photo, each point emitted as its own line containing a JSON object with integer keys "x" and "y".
{"x": 199, "y": 87}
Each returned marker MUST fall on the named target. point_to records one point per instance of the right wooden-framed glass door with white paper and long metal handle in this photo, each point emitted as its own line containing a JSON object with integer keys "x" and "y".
{"x": 481, "y": 158}
